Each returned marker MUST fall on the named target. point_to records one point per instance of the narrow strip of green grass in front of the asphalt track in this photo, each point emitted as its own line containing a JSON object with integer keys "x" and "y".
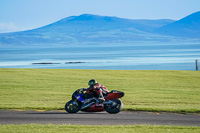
{"x": 33, "y": 128}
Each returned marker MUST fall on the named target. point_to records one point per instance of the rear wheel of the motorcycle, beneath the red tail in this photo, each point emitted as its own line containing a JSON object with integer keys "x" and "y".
{"x": 115, "y": 107}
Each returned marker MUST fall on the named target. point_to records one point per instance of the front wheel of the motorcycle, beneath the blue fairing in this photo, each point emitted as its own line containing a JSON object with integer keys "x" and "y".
{"x": 72, "y": 106}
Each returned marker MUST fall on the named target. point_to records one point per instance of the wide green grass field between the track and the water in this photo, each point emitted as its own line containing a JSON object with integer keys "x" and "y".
{"x": 49, "y": 89}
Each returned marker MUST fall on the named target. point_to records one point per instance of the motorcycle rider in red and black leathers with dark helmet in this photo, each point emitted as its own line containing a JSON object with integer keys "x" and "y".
{"x": 96, "y": 90}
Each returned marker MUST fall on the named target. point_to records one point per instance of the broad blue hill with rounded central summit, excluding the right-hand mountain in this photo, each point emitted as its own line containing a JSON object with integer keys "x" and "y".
{"x": 88, "y": 28}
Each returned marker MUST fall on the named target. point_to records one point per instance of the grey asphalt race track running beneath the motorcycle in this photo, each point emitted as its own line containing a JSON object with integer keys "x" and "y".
{"x": 100, "y": 118}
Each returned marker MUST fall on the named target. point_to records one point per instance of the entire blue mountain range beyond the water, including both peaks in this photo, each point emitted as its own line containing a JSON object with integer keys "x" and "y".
{"x": 89, "y": 28}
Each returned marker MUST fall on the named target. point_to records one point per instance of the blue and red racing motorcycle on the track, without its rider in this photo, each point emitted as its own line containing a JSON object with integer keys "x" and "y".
{"x": 112, "y": 104}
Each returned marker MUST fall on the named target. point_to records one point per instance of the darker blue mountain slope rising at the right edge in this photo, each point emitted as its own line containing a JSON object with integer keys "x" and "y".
{"x": 188, "y": 27}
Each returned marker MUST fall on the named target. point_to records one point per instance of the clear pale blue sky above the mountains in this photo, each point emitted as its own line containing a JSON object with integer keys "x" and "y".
{"x": 16, "y": 15}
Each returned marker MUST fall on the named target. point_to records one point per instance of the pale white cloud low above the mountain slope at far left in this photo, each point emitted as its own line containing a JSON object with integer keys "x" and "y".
{"x": 8, "y": 27}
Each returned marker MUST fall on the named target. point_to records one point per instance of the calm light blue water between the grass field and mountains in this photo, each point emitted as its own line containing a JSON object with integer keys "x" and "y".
{"x": 143, "y": 56}
